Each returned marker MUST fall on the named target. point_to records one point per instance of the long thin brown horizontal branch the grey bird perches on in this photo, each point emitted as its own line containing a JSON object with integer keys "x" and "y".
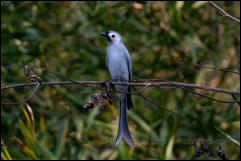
{"x": 146, "y": 85}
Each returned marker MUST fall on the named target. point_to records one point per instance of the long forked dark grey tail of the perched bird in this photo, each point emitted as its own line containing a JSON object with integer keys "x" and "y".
{"x": 123, "y": 129}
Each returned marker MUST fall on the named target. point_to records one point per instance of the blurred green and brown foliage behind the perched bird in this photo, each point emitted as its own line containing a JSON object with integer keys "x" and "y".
{"x": 64, "y": 37}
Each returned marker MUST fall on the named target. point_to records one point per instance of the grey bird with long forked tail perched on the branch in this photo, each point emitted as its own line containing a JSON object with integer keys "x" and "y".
{"x": 119, "y": 64}
